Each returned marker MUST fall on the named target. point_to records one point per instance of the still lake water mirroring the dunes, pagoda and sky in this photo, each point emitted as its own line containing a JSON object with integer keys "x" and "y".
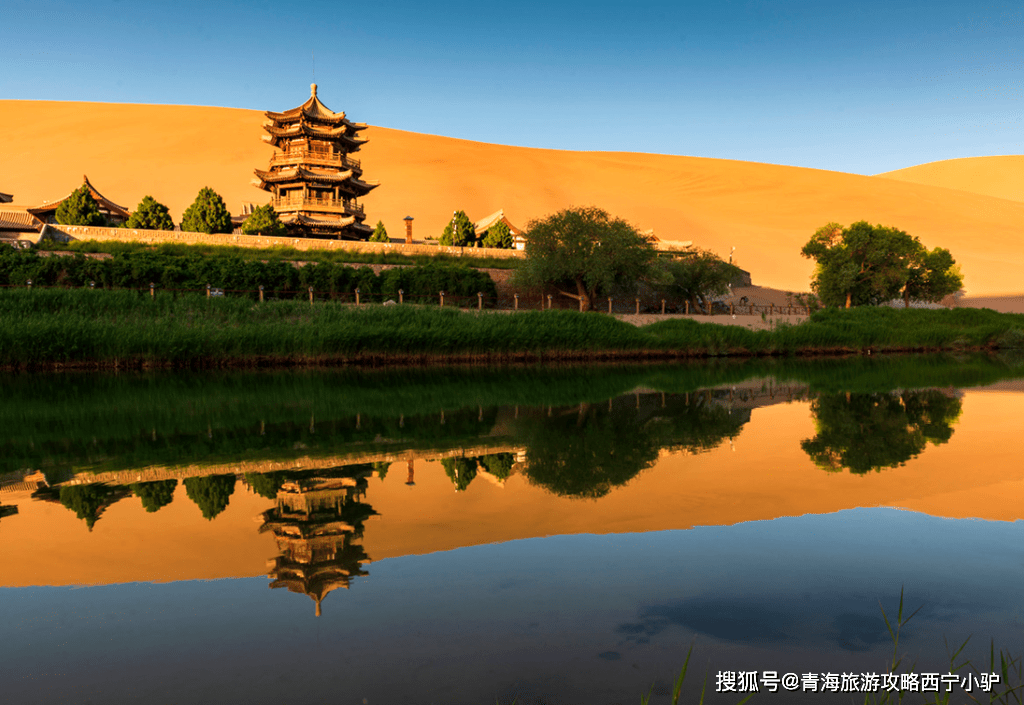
{"x": 538, "y": 535}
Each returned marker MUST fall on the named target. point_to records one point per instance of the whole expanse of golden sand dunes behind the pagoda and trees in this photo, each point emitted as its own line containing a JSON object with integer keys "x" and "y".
{"x": 766, "y": 212}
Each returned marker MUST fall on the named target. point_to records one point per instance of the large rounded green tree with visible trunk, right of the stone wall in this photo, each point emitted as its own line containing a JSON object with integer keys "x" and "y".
{"x": 583, "y": 253}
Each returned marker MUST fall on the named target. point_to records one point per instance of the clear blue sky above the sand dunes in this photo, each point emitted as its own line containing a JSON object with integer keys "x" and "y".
{"x": 864, "y": 87}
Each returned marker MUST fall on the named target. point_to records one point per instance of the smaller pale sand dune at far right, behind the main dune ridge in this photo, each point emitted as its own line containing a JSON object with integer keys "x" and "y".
{"x": 999, "y": 177}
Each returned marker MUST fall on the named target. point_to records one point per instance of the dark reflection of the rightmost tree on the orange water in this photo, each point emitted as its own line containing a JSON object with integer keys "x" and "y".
{"x": 869, "y": 432}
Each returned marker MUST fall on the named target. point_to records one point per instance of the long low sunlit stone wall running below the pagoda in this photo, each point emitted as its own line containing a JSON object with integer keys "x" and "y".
{"x": 68, "y": 233}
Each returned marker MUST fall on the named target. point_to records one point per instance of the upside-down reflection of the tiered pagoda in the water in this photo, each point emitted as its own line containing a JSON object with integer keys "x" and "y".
{"x": 318, "y": 523}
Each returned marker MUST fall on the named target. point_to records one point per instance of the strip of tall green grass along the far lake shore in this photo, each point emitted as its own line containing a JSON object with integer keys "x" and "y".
{"x": 83, "y": 328}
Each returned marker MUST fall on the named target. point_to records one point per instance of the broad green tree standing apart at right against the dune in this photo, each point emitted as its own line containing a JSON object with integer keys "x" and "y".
{"x": 867, "y": 265}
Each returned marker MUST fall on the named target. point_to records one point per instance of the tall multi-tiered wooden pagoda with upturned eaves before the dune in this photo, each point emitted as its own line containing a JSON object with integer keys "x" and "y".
{"x": 314, "y": 179}
